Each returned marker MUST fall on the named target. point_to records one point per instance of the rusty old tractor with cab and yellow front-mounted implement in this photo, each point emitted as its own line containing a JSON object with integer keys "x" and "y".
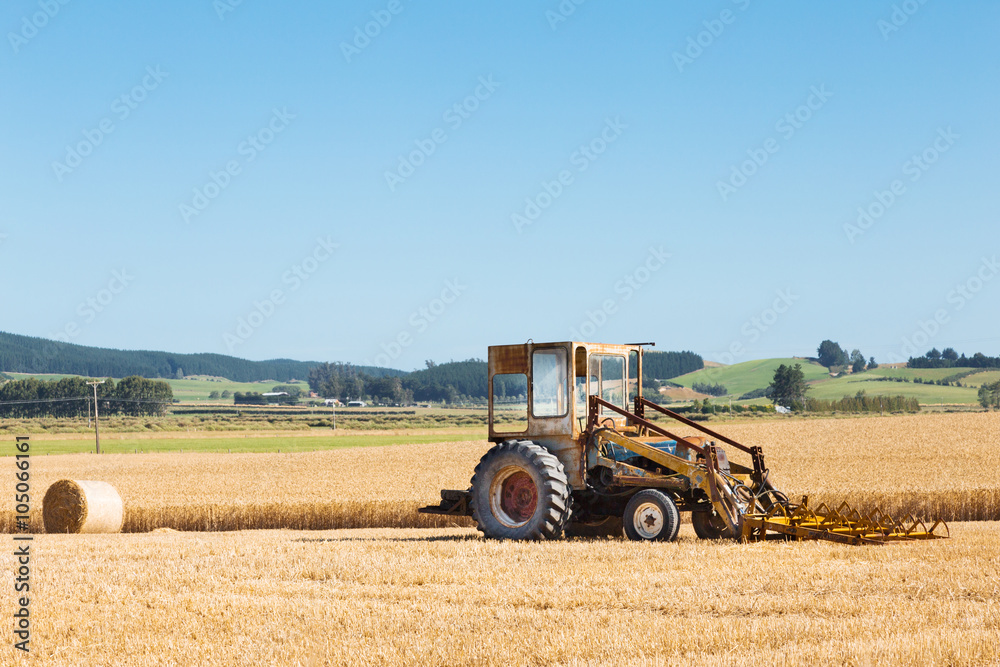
{"x": 579, "y": 451}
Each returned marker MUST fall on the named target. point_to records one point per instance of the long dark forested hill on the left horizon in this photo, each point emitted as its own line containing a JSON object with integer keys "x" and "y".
{"x": 27, "y": 354}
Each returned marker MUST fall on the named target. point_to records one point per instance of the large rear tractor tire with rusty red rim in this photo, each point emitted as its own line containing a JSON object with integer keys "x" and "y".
{"x": 520, "y": 492}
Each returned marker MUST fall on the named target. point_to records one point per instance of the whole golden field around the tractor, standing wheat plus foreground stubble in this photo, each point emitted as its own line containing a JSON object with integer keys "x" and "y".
{"x": 440, "y": 595}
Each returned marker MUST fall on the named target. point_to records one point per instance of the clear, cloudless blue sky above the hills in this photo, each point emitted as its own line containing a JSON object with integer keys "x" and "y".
{"x": 741, "y": 179}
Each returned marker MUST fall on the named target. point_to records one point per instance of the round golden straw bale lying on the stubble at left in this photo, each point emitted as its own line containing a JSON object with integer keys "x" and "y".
{"x": 80, "y": 506}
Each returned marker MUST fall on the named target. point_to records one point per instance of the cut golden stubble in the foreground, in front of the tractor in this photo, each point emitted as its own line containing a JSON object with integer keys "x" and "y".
{"x": 446, "y": 597}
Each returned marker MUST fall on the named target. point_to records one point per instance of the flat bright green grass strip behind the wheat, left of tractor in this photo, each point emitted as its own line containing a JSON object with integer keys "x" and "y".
{"x": 249, "y": 443}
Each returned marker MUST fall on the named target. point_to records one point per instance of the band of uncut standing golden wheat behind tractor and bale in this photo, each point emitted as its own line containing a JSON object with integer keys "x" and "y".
{"x": 941, "y": 465}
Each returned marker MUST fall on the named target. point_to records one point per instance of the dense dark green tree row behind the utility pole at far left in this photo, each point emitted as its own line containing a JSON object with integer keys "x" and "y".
{"x": 73, "y": 397}
